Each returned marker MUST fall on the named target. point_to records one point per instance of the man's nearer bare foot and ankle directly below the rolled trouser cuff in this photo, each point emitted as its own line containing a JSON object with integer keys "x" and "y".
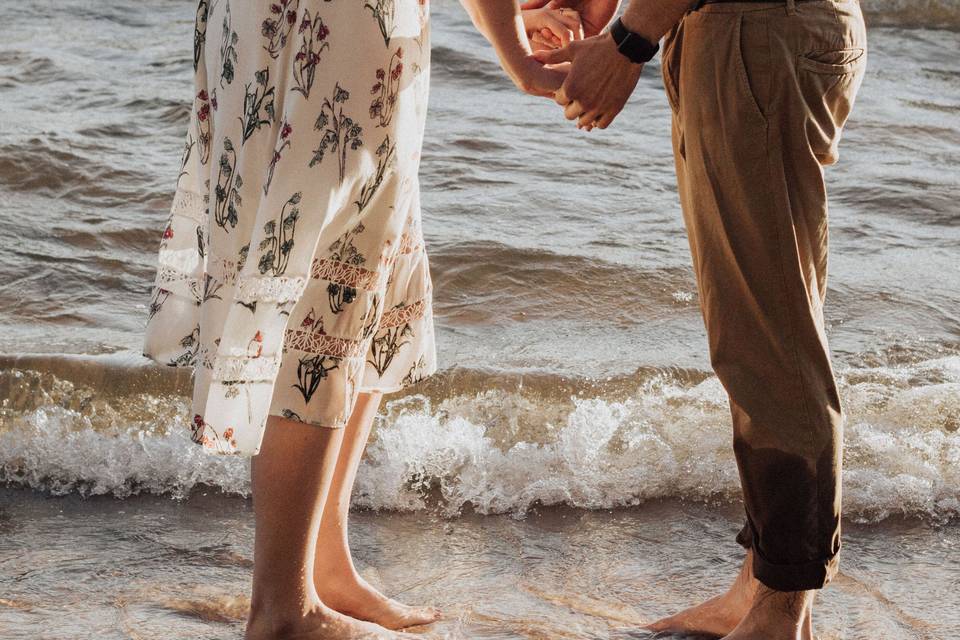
{"x": 777, "y": 615}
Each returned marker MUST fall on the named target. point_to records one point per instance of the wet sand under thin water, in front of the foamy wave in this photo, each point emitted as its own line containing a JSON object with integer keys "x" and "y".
{"x": 156, "y": 568}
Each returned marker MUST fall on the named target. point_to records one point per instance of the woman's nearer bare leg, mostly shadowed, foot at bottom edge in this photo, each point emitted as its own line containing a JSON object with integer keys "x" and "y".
{"x": 291, "y": 481}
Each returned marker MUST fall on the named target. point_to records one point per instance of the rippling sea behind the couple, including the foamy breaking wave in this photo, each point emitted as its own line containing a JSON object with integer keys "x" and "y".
{"x": 568, "y": 323}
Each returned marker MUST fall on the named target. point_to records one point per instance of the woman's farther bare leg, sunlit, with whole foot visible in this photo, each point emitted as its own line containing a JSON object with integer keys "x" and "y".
{"x": 336, "y": 578}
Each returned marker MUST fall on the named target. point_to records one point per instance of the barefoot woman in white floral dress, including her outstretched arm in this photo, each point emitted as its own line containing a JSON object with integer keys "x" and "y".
{"x": 292, "y": 274}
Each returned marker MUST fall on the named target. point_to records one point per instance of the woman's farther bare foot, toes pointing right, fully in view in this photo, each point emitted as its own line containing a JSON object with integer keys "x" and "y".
{"x": 347, "y": 592}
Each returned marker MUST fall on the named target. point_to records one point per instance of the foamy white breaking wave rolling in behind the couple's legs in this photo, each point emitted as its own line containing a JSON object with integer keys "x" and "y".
{"x": 505, "y": 448}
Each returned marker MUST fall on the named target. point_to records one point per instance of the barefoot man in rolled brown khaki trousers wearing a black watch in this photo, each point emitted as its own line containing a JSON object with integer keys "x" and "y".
{"x": 759, "y": 93}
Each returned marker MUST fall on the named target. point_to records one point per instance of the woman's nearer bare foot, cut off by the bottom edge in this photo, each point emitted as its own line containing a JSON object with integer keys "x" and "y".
{"x": 320, "y": 623}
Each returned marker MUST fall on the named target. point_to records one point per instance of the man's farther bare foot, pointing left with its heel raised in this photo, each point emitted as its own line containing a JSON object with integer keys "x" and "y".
{"x": 717, "y": 616}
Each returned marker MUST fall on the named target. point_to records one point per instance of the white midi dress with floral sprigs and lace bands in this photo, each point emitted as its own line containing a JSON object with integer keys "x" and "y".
{"x": 292, "y": 274}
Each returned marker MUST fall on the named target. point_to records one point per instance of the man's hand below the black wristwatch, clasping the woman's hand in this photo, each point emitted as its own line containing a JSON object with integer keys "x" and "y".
{"x": 599, "y": 82}
